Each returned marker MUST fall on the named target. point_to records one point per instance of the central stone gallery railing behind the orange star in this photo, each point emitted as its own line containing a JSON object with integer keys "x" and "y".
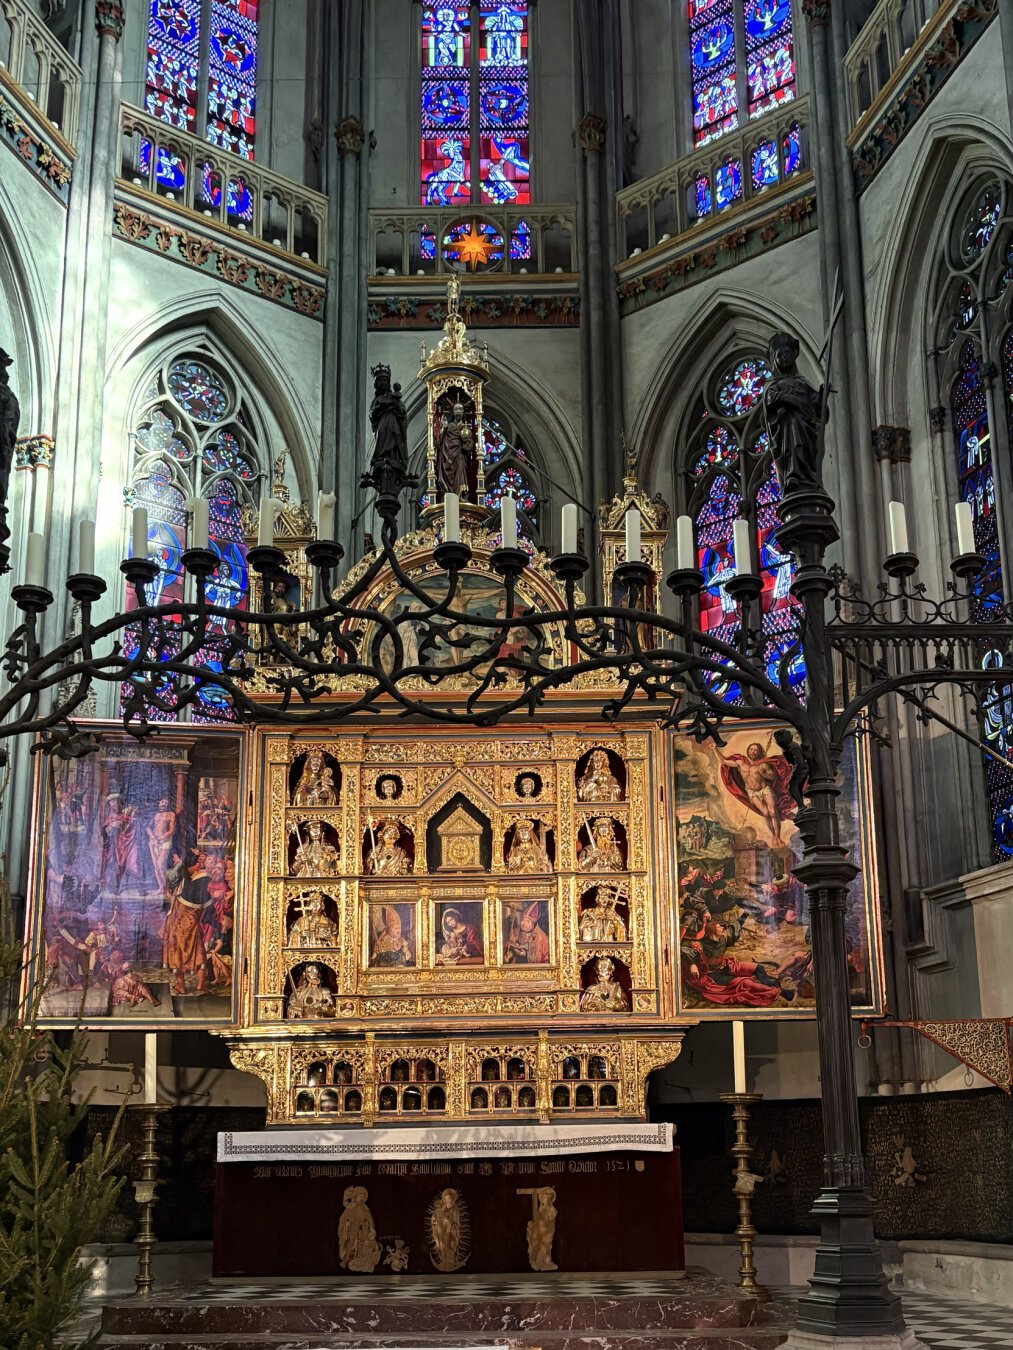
{"x": 521, "y": 240}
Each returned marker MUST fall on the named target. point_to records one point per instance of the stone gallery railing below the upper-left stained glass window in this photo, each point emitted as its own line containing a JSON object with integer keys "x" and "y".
{"x": 222, "y": 187}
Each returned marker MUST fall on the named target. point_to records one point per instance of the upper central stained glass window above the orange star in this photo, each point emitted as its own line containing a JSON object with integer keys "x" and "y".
{"x": 475, "y": 103}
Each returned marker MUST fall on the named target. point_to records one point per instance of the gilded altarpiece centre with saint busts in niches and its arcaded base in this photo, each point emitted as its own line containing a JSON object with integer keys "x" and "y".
{"x": 467, "y": 927}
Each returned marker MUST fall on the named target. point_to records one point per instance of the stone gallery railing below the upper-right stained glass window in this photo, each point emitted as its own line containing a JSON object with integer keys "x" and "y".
{"x": 730, "y": 172}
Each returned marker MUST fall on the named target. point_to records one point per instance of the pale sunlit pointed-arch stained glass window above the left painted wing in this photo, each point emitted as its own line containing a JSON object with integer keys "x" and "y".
{"x": 194, "y": 441}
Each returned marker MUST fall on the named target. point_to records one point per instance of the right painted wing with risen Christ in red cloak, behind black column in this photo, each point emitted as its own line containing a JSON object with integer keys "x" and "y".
{"x": 745, "y": 935}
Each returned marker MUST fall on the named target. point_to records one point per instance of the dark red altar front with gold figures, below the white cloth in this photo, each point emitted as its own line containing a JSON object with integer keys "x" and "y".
{"x": 615, "y": 1213}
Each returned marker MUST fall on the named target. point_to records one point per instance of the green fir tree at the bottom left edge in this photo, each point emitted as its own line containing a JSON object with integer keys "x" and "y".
{"x": 49, "y": 1206}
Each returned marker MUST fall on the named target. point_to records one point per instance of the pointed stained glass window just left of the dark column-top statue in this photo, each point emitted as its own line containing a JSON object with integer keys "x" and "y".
{"x": 731, "y": 475}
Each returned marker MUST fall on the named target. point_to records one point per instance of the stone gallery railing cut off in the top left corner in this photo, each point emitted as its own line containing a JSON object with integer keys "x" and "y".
{"x": 40, "y": 67}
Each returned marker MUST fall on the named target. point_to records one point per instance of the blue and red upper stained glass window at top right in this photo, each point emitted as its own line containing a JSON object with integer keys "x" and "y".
{"x": 742, "y": 60}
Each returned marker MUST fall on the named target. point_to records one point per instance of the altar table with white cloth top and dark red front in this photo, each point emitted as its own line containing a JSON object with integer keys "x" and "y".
{"x": 280, "y": 1197}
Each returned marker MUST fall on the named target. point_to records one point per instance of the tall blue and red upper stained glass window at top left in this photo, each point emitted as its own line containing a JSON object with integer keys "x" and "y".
{"x": 180, "y": 33}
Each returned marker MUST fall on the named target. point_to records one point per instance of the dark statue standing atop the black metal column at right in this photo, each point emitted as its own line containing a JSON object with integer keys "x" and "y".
{"x": 795, "y": 416}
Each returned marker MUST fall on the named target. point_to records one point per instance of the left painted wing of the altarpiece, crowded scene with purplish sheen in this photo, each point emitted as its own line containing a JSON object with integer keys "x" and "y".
{"x": 136, "y": 880}
